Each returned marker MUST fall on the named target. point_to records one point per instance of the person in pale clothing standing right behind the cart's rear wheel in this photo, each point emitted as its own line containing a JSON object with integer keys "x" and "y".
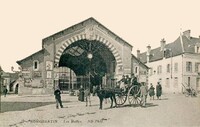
{"x": 143, "y": 94}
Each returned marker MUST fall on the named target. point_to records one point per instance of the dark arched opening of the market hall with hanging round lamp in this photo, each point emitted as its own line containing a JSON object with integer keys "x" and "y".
{"x": 91, "y": 61}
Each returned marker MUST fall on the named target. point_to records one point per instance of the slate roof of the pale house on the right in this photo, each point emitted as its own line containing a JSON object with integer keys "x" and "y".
{"x": 175, "y": 47}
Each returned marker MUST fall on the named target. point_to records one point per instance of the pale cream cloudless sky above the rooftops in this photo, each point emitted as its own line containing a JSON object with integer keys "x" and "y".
{"x": 23, "y": 24}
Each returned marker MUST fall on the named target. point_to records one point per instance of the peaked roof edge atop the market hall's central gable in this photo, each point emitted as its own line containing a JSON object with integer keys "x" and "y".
{"x": 81, "y": 25}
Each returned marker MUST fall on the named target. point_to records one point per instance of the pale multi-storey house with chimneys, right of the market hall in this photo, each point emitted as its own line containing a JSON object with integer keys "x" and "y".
{"x": 174, "y": 64}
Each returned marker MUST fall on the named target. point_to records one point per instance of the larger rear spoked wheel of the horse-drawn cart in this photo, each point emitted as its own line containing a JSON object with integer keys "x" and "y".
{"x": 134, "y": 96}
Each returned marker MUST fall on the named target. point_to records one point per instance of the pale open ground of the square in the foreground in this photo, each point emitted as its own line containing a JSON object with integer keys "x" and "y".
{"x": 172, "y": 110}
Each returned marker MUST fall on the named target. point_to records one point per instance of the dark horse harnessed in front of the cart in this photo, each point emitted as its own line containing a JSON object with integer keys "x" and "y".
{"x": 104, "y": 94}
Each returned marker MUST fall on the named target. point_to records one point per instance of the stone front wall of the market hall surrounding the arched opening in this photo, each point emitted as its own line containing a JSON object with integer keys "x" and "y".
{"x": 40, "y": 79}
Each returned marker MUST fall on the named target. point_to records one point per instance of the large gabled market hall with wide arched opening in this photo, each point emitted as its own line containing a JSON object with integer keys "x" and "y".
{"x": 84, "y": 54}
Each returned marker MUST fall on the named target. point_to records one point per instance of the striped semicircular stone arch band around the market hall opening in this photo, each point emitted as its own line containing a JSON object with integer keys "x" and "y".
{"x": 104, "y": 41}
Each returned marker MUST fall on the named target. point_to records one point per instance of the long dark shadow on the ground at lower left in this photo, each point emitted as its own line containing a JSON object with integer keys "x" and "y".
{"x": 21, "y": 106}
